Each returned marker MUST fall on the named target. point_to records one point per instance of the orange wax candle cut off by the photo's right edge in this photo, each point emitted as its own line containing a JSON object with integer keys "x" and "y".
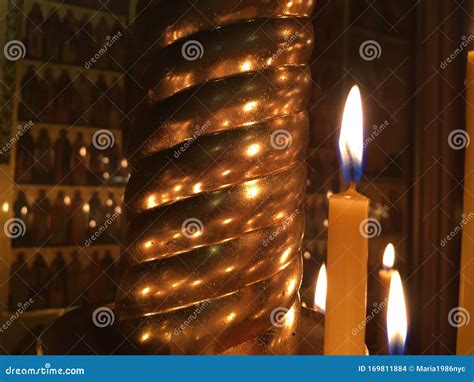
{"x": 465, "y": 341}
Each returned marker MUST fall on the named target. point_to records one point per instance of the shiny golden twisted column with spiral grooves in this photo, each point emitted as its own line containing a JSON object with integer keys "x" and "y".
{"x": 215, "y": 197}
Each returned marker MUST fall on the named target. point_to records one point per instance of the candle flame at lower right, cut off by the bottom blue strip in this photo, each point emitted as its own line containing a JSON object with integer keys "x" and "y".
{"x": 396, "y": 316}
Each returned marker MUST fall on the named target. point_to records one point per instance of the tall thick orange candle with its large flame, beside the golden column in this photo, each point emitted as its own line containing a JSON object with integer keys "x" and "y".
{"x": 347, "y": 244}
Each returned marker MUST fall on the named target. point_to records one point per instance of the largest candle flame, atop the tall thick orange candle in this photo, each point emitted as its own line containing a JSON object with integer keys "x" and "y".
{"x": 351, "y": 137}
